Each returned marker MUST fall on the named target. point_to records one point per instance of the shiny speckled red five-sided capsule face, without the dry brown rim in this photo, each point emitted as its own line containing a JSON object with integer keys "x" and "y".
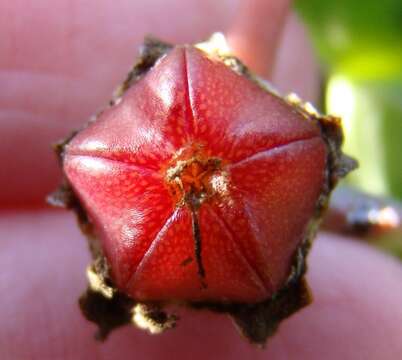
{"x": 258, "y": 200}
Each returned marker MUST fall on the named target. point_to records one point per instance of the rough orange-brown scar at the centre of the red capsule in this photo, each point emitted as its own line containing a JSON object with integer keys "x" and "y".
{"x": 193, "y": 177}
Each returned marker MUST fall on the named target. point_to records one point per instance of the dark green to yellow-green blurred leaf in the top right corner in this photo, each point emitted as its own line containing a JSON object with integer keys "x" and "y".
{"x": 359, "y": 38}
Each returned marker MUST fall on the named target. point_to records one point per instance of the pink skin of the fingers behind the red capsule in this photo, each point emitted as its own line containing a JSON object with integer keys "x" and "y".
{"x": 59, "y": 62}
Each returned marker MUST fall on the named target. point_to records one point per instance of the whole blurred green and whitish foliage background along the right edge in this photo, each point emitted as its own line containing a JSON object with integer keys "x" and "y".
{"x": 360, "y": 47}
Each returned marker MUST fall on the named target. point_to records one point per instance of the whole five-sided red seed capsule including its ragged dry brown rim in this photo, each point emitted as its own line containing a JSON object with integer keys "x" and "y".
{"x": 199, "y": 185}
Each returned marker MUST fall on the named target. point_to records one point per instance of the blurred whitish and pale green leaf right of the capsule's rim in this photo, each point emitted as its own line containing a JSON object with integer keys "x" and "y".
{"x": 371, "y": 113}
